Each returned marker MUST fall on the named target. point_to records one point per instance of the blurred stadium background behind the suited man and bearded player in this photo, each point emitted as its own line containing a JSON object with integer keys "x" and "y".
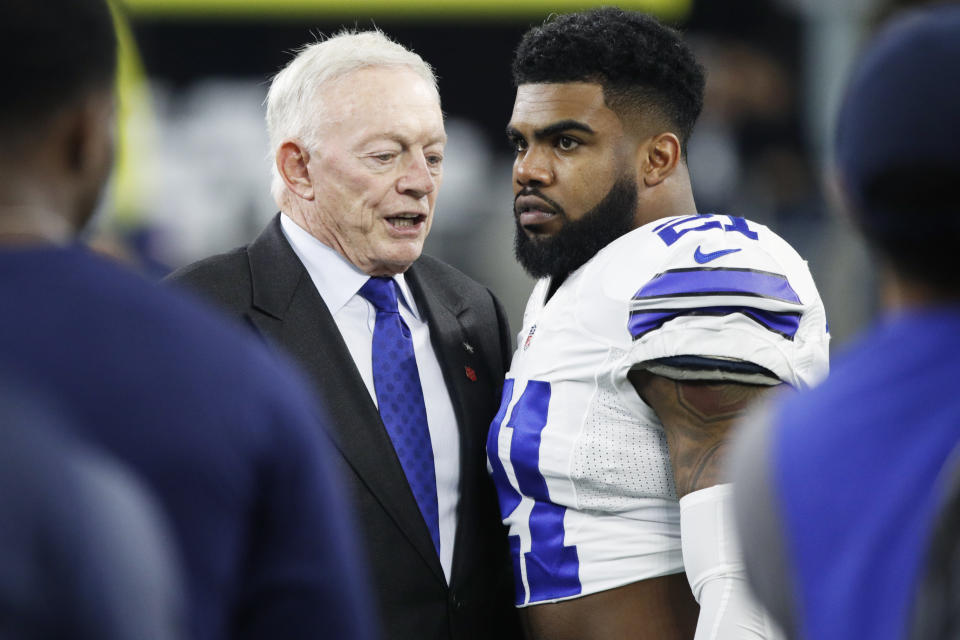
{"x": 193, "y": 170}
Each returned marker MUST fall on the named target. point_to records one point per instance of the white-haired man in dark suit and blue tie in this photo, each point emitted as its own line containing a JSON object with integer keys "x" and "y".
{"x": 408, "y": 352}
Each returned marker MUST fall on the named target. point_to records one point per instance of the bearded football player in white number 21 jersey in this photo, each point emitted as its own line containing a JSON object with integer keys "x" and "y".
{"x": 651, "y": 329}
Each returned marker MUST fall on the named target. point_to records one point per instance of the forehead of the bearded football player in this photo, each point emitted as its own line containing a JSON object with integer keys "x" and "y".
{"x": 541, "y": 104}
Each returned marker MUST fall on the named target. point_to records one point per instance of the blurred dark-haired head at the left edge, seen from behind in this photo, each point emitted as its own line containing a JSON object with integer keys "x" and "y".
{"x": 57, "y": 125}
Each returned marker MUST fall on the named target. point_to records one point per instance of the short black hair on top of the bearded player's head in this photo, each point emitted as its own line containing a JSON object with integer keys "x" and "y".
{"x": 639, "y": 62}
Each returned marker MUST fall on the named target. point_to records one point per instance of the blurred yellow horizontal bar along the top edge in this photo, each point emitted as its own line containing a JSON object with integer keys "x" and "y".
{"x": 408, "y": 9}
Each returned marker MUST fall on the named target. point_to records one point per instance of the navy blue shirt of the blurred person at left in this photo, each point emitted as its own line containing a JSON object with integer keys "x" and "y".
{"x": 227, "y": 438}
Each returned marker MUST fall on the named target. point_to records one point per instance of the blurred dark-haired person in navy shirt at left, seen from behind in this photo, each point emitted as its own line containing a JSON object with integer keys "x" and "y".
{"x": 227, "y": 439}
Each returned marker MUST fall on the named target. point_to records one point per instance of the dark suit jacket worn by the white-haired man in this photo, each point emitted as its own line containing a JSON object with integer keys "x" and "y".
{"x": 266, "y": 285}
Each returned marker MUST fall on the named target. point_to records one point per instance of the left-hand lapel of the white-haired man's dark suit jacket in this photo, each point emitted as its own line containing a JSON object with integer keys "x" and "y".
{"x": 288, "y": 309}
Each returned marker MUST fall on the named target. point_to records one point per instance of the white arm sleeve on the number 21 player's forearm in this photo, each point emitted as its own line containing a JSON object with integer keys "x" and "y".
{"x": 714, "y": 565}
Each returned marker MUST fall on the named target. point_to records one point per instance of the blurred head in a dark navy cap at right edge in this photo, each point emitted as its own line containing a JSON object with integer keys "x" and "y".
{"x": 896, "y": 157}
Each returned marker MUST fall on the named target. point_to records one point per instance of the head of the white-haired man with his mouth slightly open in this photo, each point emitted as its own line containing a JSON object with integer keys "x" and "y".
{"x": 356, "y": 132}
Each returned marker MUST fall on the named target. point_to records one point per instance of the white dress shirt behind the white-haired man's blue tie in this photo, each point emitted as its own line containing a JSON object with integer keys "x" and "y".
{"x": 338, "y": 282}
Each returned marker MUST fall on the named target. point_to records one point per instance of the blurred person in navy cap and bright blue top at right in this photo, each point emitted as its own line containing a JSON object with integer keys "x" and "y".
{"x": 838, "y": 488}
